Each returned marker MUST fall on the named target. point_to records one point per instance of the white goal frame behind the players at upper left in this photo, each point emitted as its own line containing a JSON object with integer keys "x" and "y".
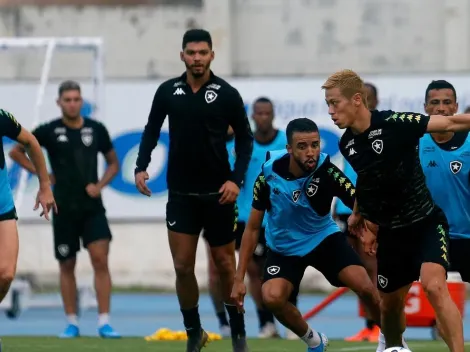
{"x": 51, "y": 45}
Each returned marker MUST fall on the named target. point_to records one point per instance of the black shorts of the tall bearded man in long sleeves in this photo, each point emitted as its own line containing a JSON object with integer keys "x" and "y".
{"x": 191, "y": 214}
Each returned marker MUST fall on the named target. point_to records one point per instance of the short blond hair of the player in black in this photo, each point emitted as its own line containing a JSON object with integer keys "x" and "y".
{"x": 348, "y": 82}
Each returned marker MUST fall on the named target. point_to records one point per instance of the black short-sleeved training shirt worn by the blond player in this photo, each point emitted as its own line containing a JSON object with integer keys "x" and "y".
{"x": 391, "y": 188}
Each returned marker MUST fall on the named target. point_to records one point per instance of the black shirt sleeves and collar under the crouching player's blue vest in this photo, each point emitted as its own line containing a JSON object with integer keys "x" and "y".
{"x": 328, "y": 181}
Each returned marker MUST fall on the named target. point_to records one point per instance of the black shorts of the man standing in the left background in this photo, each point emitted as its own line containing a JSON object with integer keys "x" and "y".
{"x": 71, "y": 226}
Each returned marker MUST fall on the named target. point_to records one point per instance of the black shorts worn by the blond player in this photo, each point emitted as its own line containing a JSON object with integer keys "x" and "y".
{"x": 402, "y": 251}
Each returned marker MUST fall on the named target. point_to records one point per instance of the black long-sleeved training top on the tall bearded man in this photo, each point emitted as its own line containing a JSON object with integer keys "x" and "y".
{"x": 198, "y": 161}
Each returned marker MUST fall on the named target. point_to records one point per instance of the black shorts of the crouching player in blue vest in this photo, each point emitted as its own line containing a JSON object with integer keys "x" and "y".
{"x": 330, "y": 258}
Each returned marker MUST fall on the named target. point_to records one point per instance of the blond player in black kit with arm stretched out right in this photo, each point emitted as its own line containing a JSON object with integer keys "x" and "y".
{"x": 413, "y": 234}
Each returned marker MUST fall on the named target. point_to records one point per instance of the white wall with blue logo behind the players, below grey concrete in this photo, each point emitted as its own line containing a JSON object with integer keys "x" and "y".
{"x": 140, "y": 254}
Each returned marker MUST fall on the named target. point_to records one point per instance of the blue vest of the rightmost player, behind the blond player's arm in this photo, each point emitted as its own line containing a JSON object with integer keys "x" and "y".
{"x": 447, "y": 170}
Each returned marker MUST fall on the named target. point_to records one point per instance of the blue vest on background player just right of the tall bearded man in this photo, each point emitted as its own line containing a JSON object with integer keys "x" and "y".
{"x": 258, "y": 158}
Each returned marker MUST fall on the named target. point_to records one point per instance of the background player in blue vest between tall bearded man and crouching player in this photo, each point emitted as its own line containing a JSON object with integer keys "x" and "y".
{"x": 266, "y": 138}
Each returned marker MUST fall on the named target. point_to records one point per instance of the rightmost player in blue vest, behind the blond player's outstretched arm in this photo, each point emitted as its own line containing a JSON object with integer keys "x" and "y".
{"x": 445, "y": 158}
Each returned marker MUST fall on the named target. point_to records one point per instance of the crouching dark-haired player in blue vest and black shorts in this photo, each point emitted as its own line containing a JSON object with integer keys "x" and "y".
{"x": 295, "y": 189}
